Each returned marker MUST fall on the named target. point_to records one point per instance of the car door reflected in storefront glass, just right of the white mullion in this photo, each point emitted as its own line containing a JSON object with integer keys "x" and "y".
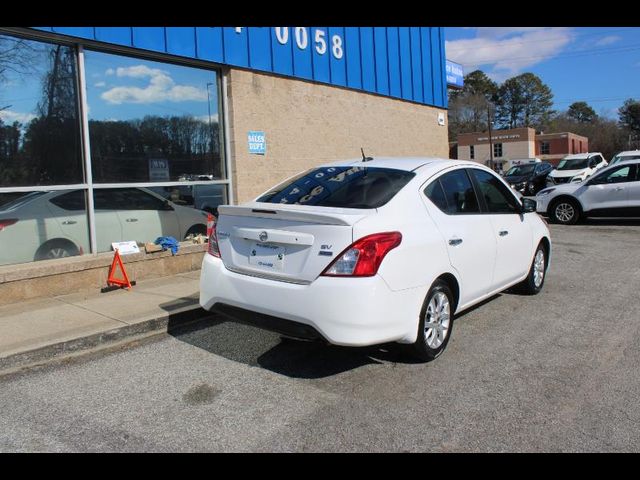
{"x": 144, "y": 216}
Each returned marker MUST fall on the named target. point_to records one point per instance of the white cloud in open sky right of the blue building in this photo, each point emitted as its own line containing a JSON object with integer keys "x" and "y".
{"x": 508, "y": 51}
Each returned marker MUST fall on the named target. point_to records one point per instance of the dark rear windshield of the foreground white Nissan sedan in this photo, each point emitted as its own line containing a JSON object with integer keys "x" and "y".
{"x": 345, "y": 187}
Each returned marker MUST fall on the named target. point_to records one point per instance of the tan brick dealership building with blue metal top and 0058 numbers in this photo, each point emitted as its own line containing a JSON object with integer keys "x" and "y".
{"x": 99, "y": 125}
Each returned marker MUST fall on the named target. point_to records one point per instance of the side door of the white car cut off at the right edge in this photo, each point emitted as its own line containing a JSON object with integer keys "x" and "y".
{"x": 608, "y": 191}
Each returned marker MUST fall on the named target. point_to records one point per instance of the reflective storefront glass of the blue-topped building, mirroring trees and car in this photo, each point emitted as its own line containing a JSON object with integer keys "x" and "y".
{"x": 99, "y": 147}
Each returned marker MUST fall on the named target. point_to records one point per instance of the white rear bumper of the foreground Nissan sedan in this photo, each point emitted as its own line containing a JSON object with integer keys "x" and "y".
{"x": 344, "y": 311}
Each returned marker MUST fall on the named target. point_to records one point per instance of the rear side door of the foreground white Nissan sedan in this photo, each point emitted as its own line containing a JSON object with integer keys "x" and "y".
{"x": 468, "y": 234}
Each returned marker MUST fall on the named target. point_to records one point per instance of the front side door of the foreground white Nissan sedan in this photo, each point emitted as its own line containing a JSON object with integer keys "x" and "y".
{"x": 512, "y": 233}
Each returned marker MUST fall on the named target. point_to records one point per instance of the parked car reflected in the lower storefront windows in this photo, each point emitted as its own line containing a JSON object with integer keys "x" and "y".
{"x": 53, "y": 224}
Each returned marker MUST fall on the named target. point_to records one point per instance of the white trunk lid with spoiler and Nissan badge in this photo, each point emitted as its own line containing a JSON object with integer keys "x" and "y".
{"x": 291, "y": 243}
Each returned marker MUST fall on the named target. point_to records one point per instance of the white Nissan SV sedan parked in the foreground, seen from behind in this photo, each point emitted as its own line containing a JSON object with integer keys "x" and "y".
{"x": 369, "y": 252}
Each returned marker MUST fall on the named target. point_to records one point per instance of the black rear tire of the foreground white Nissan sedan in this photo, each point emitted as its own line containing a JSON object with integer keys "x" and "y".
{"x": 423, "y": 349}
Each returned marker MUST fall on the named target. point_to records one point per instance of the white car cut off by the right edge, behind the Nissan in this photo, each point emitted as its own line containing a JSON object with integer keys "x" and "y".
{"x": 612, "y": 192}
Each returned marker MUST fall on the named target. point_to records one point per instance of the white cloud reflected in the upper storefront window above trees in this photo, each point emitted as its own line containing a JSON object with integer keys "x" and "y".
{"x": 161, "y": 88}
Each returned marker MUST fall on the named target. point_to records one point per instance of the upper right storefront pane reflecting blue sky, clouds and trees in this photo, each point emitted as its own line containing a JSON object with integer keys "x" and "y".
{"x": 151, "y": 121}
